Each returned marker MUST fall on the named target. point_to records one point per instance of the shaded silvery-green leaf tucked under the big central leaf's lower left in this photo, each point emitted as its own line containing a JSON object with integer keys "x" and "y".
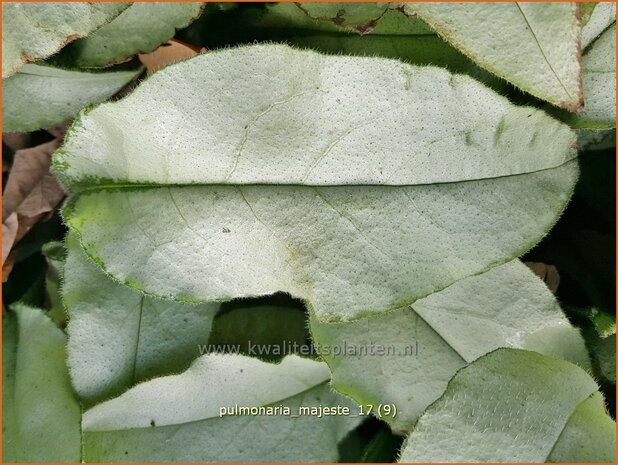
{"x": 118, "y": 336}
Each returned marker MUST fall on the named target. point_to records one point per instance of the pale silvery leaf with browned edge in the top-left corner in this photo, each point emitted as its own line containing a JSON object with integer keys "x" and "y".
{"x": 32, "y": 31}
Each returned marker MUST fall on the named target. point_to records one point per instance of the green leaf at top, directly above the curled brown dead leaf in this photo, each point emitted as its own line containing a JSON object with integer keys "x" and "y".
{"x": 140, "y": 28}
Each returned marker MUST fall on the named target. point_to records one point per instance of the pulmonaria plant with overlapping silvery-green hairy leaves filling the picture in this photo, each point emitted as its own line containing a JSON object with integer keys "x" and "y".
{"x": 392, "y": 197}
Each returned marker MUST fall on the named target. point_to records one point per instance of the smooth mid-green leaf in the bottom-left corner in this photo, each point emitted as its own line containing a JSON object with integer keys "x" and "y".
{"x": 41, "y": 415}
